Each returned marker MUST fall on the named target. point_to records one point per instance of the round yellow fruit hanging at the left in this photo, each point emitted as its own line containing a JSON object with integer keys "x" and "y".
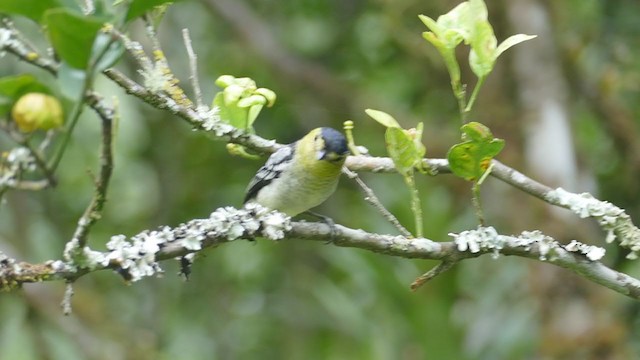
{"x": 37, "y": 111}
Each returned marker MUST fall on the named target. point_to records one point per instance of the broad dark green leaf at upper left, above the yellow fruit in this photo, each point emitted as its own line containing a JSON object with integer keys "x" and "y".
{"x": 72, "y": 35}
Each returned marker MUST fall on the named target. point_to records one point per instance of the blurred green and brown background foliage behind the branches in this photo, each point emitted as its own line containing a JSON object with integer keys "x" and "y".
{"x": 573, "y": 92}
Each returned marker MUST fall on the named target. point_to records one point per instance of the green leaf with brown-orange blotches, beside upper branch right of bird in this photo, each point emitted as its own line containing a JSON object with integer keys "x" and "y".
{"x": 470, "y": 159}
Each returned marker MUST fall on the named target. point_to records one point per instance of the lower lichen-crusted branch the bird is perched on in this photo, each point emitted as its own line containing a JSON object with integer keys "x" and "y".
{"x": 139, "y": 256}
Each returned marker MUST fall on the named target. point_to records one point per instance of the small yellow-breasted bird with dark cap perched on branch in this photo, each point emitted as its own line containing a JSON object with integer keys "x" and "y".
{"x": 301, "y": 175}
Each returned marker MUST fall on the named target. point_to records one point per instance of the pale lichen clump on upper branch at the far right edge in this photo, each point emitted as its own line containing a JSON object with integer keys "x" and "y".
{"x": 611, "y": 218}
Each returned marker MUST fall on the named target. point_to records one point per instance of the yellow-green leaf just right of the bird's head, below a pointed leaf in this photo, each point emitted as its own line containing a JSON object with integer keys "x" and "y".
{"x": 403, "y": 150}
